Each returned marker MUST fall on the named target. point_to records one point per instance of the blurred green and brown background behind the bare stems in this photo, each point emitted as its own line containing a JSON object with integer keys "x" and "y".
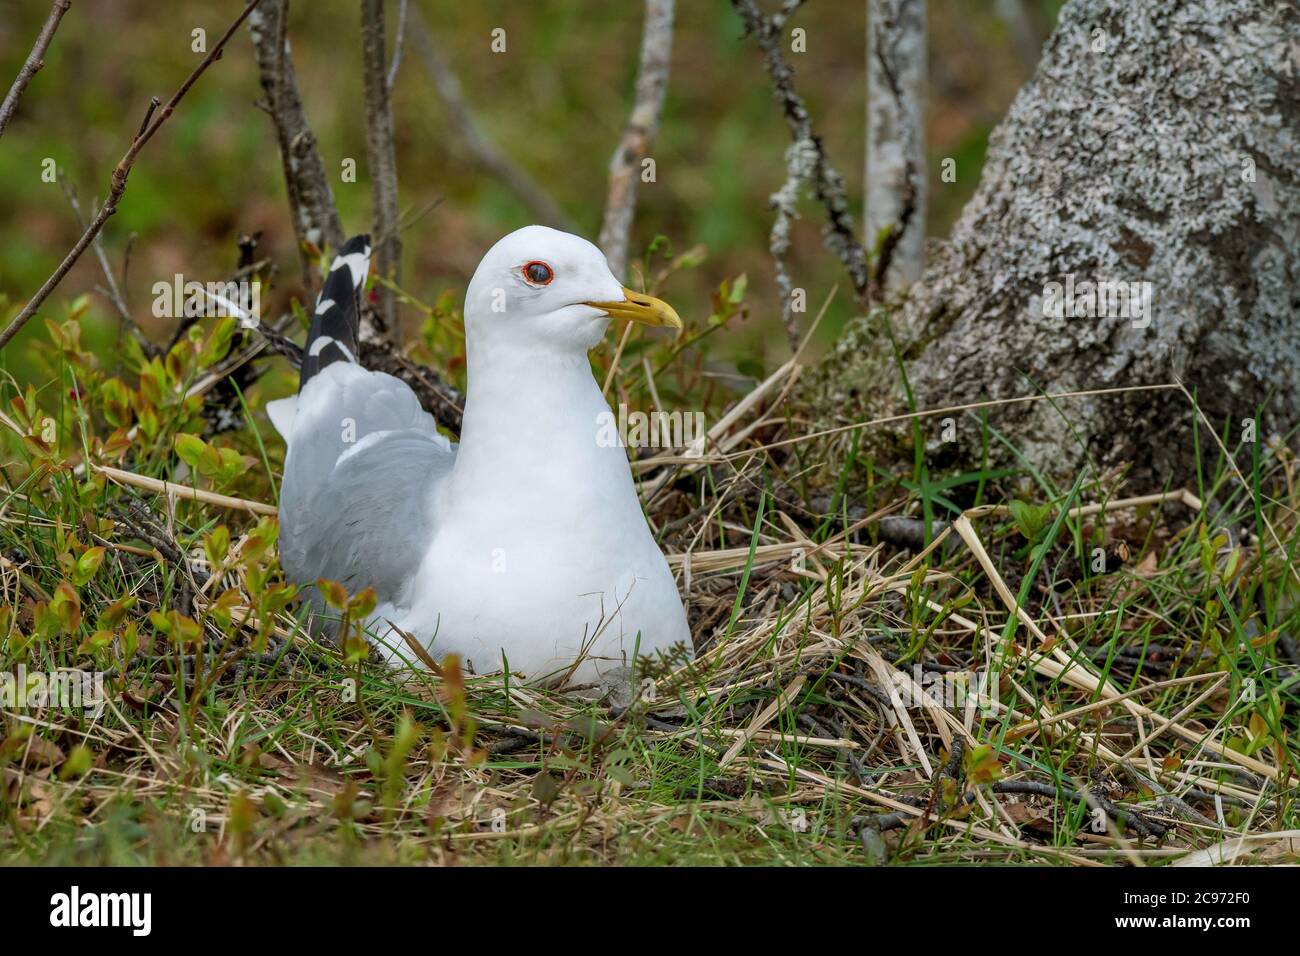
{"x": 556, "y": 103}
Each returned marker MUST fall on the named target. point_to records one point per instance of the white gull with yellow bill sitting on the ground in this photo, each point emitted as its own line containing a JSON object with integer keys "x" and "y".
{"x": 525, "y": 548}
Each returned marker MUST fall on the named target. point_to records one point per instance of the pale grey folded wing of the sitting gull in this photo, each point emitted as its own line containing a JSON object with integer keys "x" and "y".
{"x": 363, "y": 464}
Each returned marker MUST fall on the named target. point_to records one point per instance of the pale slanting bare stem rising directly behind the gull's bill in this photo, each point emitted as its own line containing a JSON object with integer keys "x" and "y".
{"x": 643, "y": 127}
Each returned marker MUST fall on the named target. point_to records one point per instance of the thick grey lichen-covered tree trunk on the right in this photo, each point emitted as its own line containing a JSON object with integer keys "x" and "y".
{"x": 1156, "y": 152}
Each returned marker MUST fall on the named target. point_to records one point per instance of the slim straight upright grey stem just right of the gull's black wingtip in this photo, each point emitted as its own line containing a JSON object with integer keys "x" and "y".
{"x": 383, "y": 161}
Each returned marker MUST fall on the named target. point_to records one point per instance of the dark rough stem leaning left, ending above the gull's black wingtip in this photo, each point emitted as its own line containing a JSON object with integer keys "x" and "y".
{"x": 311, "y": 201}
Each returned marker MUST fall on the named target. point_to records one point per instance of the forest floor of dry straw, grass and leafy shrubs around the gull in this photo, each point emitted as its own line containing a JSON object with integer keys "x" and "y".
{"x": 891, "y": 668}
